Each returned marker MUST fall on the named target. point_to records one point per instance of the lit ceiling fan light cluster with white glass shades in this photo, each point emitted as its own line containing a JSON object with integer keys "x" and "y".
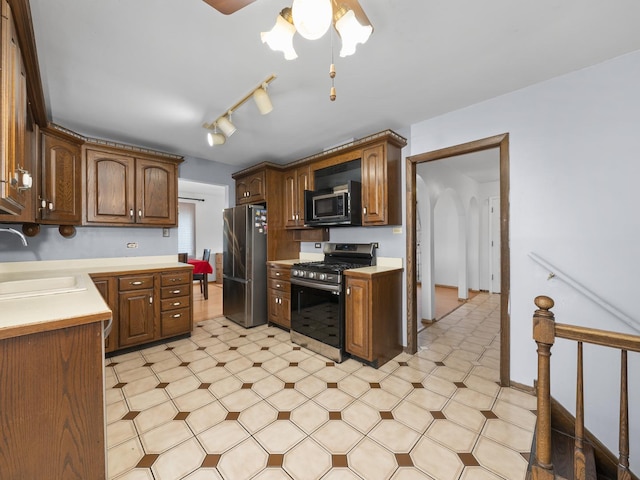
{"x": 312, "y": 18}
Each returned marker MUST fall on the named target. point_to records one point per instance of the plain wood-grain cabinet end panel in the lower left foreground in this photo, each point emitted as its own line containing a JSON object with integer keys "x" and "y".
{"x": 52, "y": 420}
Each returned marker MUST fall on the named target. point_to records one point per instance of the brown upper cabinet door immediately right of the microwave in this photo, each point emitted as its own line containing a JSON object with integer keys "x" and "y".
{"x": 374, "y": 186}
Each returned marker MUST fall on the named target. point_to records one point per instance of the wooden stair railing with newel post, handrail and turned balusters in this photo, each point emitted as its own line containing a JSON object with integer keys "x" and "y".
{"x": 545, "y": 331}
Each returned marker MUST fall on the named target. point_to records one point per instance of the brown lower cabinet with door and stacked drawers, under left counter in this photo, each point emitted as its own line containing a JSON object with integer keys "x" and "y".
{"x": 147, "y": 305}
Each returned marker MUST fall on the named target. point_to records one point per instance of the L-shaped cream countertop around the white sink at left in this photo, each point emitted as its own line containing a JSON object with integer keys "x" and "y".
{"x": 22, "y": 316}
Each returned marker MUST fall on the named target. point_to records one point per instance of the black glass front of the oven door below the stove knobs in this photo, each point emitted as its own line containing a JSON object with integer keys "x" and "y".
{"x": 318, "y": 314}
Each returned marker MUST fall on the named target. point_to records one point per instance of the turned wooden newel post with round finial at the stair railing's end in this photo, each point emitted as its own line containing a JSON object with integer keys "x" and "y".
{"x": 544, "y": 335}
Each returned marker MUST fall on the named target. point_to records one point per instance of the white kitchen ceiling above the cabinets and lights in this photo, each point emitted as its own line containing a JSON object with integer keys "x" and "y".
{"x": 151, "y": 72}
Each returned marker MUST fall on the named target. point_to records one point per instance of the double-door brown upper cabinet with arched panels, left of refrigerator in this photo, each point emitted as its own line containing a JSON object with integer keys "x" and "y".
{"x": 123, "y": 189}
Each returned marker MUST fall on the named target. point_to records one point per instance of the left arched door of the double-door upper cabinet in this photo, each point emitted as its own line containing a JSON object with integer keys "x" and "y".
{"x": 110, "y": 188}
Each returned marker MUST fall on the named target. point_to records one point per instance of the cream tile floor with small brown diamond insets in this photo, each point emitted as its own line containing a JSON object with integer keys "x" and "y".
{"x": 230, "y": 403}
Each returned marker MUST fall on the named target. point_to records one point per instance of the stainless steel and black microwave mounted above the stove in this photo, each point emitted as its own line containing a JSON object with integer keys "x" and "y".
{"x": 337, "y": 206}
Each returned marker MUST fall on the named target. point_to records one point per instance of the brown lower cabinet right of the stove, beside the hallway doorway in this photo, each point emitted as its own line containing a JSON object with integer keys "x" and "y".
{"x": 373, "y": 316}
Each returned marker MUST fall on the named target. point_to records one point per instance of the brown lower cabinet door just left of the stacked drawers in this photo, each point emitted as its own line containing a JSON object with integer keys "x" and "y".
{"x": 136, "y": 315}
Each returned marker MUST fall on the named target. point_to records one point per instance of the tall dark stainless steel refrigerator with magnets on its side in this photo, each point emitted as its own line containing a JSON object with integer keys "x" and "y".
{"x": 244, "y": 265}
